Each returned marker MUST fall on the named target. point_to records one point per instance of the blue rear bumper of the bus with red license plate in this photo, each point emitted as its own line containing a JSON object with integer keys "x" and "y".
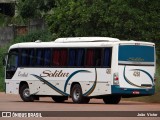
{"x": 132, "y": 92}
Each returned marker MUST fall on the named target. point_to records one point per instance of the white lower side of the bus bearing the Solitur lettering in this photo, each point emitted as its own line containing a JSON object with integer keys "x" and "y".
{"x": 43, "y": 81}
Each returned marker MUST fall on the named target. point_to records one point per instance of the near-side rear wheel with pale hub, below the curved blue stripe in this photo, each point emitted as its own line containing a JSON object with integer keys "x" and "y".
{"x": 76, "y": 94}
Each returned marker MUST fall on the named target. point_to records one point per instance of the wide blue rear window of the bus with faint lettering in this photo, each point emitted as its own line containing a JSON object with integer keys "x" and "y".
{"x": 136, "y": 53}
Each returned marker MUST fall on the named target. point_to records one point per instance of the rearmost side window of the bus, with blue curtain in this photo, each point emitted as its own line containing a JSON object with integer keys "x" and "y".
{"x": 107, "y": 57}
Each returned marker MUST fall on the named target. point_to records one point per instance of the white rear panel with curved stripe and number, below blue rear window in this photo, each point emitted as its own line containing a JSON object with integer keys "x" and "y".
{"x": 136, "y": 76}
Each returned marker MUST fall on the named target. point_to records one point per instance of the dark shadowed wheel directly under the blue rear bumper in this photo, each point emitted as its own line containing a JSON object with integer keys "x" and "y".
{"x": 112, "y": 99}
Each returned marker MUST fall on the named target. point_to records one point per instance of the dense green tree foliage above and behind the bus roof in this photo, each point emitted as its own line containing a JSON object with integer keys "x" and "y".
{"x": 124, "y": 19}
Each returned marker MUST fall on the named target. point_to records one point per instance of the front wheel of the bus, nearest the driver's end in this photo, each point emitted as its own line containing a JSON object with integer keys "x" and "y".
{"x": 25, "y": 94}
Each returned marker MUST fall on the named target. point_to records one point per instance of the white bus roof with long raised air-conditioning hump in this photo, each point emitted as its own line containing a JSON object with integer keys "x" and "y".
{"x": 82, "y": 42}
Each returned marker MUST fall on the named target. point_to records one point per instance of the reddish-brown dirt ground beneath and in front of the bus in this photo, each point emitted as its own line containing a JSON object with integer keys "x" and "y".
{"x": 14, "y": 103}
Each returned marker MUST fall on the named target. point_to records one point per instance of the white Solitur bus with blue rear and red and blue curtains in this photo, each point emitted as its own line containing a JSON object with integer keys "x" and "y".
{"x": 81, "y": 68}
